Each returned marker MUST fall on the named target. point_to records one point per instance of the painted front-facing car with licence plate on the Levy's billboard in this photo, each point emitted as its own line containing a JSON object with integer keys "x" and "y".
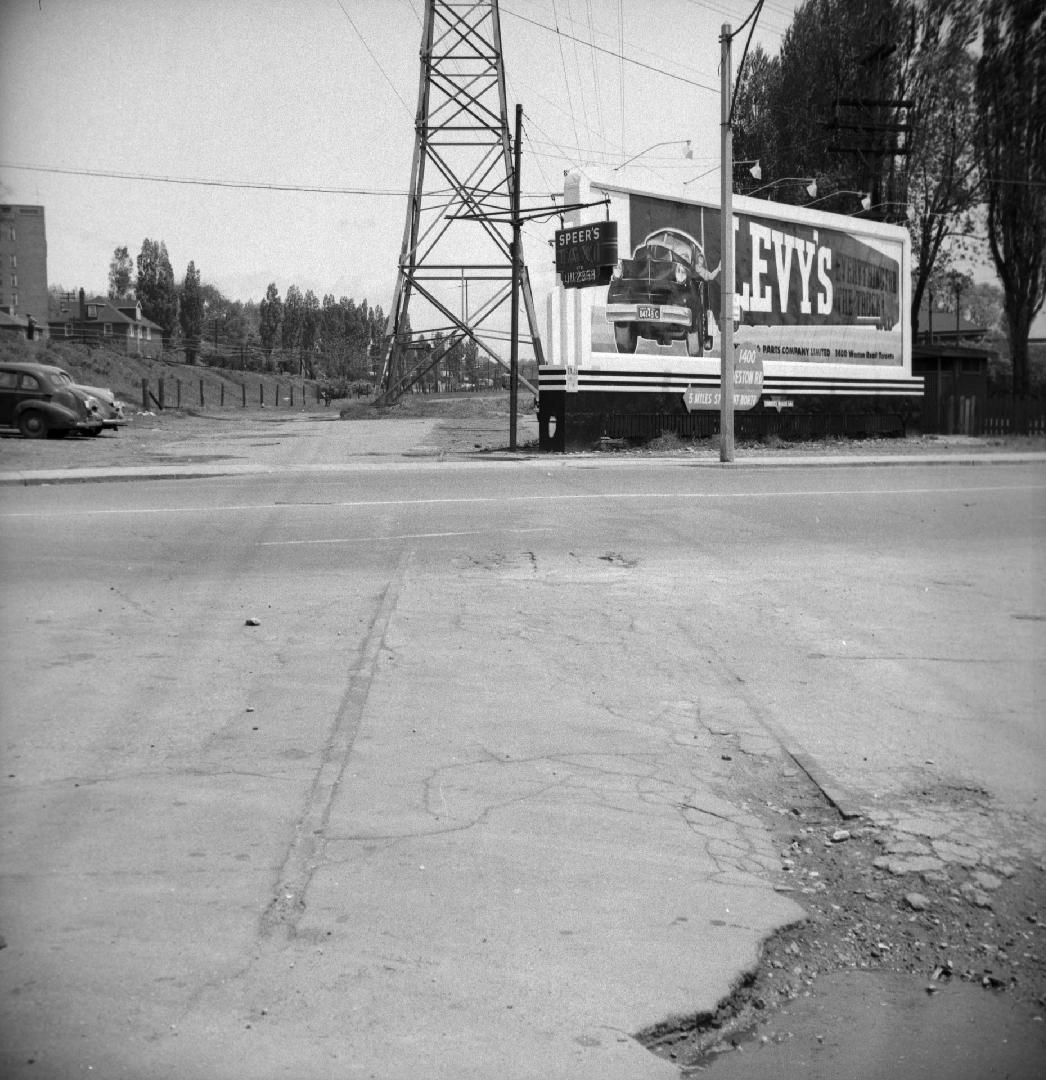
{"x": 662, "y": 294}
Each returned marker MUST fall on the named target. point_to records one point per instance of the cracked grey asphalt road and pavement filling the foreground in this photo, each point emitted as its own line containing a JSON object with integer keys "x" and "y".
{"x": 453, "y": 807}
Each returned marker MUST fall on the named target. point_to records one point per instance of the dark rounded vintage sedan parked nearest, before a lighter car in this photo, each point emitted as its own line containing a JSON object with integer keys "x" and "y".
{"x": 40, "y": 400}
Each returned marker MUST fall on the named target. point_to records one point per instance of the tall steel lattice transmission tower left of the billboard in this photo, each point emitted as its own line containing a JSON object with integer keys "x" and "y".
{"x": 455, "y": 275}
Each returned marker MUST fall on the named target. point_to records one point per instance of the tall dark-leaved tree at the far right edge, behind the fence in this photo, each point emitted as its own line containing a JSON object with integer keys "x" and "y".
{"x": 1012, "y": 137}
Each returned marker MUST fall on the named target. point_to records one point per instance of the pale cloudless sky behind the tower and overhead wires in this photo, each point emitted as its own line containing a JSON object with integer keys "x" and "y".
{"x": 321, "y": 93}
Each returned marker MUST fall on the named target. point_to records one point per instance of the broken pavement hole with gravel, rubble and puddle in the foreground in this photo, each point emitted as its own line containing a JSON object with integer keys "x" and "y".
{"x": 936, "y": 919}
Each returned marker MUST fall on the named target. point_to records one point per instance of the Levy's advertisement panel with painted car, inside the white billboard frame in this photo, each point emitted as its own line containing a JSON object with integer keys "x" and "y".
{"x": 810, "y": 288}
